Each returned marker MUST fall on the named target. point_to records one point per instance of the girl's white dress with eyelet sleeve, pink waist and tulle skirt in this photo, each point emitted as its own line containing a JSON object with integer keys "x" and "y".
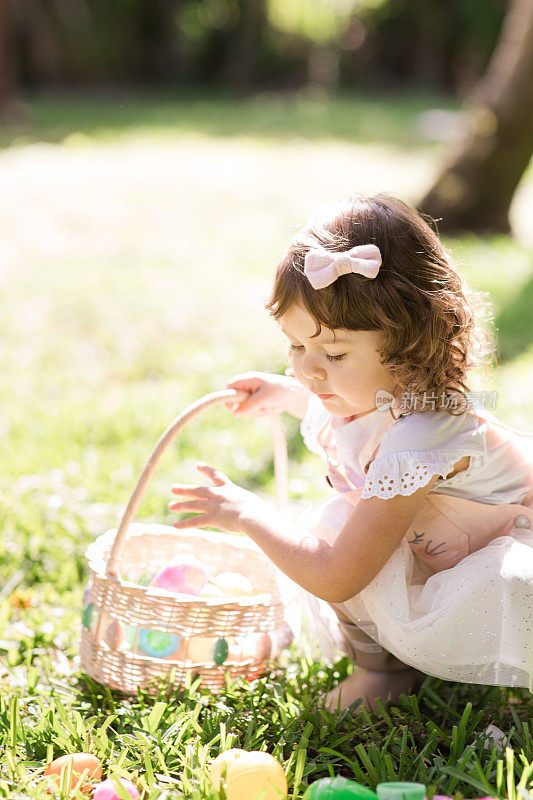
{"x": 455, "y": 600}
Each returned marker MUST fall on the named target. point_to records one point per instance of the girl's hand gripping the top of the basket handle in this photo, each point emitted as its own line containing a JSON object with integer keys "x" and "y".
{"x": 268, "y": 394}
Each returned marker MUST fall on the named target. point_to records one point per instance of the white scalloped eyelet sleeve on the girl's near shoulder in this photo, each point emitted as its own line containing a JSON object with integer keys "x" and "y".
{"x": 420, "y": 446}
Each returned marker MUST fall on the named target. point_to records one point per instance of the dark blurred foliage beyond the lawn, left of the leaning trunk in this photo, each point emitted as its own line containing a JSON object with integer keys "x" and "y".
{"x": 251, "y": 44}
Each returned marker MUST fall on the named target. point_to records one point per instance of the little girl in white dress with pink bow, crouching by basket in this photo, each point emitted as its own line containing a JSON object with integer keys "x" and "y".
{"x": 424, "y": 550}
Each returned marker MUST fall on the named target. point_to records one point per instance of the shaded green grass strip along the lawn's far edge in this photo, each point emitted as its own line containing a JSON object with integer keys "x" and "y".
{"x": 273, "y": 116}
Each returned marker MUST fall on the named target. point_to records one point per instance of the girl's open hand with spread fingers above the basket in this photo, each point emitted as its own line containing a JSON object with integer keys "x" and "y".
{"x": 223, "y": 505}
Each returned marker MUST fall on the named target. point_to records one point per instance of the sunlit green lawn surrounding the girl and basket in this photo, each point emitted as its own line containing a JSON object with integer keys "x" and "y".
{"x": 139, "y": 235}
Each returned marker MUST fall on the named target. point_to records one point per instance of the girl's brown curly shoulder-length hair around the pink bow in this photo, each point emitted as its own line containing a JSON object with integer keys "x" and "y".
{"x": 428, "y": 315}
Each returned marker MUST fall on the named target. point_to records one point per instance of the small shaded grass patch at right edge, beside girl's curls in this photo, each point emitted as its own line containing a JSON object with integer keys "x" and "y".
{"x": 515, "y": 324}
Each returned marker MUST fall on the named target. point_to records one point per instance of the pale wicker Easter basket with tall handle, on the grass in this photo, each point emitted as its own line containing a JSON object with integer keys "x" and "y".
{"x": 118, "y": 610}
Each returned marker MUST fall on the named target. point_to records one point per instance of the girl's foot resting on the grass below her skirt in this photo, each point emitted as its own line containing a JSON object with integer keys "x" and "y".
{"x": 369, "y": 684}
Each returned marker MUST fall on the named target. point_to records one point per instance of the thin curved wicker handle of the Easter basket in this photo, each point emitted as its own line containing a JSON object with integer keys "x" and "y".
{"x": 280, "y": 464}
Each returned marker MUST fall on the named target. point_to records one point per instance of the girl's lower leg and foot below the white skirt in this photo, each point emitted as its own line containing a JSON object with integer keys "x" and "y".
{"x": 377, "y": 673}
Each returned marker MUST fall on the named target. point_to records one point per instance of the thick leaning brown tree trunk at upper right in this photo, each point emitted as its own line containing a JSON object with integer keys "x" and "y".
{"x": 475, "y": 189}
